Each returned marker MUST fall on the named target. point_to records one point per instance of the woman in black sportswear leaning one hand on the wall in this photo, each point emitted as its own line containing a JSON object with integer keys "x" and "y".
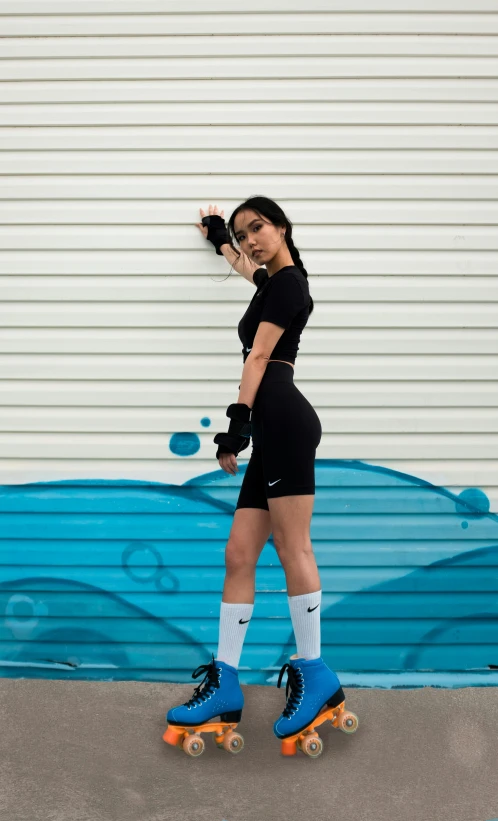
{"x": 277, "y": 492}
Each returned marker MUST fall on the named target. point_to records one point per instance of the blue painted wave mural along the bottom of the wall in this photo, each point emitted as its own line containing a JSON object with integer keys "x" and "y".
{"x": 119, "y": 580}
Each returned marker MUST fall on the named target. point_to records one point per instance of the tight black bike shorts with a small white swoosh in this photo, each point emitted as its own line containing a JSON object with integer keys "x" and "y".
{"x": 286, "y": 432}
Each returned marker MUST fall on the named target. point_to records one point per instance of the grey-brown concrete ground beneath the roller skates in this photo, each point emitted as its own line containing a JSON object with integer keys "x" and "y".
{"x": 93, "y": 751}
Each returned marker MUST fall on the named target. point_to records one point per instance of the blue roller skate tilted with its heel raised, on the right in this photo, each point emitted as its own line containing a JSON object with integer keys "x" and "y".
{"x": 316, "y": 696}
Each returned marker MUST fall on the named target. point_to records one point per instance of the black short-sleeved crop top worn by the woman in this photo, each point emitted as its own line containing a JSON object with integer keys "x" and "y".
{"x": 283, "y": 299}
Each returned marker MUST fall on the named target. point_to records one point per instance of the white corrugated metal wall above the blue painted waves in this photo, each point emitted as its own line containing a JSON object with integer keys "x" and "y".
{"x": 374, "y": 125}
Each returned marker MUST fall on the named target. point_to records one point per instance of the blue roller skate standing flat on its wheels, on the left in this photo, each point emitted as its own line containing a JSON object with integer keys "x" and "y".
{"x": 218, "y": 694}
